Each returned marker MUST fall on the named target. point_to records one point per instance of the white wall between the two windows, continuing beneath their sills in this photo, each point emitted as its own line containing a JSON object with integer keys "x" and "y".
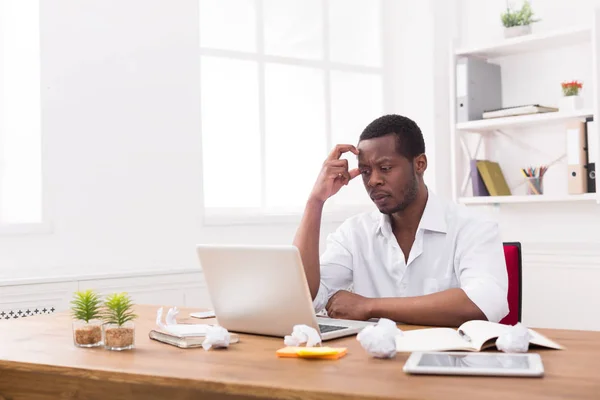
{"x": 120, "y": 123}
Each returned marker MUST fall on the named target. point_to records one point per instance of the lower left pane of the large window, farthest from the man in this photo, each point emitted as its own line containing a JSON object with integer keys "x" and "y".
{"x": 230, "y": 133}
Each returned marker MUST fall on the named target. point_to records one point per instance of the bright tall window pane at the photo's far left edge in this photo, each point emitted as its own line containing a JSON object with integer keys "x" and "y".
{"x": 20, "y": 168}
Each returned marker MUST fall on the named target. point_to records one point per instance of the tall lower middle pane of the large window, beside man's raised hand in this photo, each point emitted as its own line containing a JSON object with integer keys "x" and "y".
{"x": 295, "y": 133}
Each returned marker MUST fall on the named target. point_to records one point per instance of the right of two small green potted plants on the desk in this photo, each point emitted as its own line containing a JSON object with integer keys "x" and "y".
{"x": 118, "y": 328}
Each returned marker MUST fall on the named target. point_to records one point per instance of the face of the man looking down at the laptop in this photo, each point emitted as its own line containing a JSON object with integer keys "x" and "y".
{"x": 390, "y": 178}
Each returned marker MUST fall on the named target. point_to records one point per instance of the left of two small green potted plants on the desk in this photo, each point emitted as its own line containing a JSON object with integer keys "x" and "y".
{"x": 87, "y": 326}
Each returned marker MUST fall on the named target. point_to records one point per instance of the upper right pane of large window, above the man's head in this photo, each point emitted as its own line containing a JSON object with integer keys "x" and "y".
{"x": 355, "y": 32}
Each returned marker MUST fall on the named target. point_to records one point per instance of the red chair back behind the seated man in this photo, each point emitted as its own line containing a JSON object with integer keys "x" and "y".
{"x": 512, "y": 254}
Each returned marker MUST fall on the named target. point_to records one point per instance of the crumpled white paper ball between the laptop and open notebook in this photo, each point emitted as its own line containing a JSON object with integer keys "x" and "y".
{"x": 380, "y": 340}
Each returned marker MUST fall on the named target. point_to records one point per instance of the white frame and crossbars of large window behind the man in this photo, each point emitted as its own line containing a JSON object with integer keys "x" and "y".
{"x": 264, "y": 216}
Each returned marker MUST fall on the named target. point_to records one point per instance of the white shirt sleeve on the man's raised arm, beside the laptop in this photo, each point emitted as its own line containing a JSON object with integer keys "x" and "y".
{"x": 336, "y": 267}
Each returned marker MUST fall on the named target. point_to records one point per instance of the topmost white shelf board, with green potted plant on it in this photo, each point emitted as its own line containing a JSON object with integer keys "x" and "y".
{"x": 529, "y": 43}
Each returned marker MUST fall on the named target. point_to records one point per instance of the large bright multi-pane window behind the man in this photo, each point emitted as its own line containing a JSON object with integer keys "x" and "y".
{"x": 283, "y": 81}
